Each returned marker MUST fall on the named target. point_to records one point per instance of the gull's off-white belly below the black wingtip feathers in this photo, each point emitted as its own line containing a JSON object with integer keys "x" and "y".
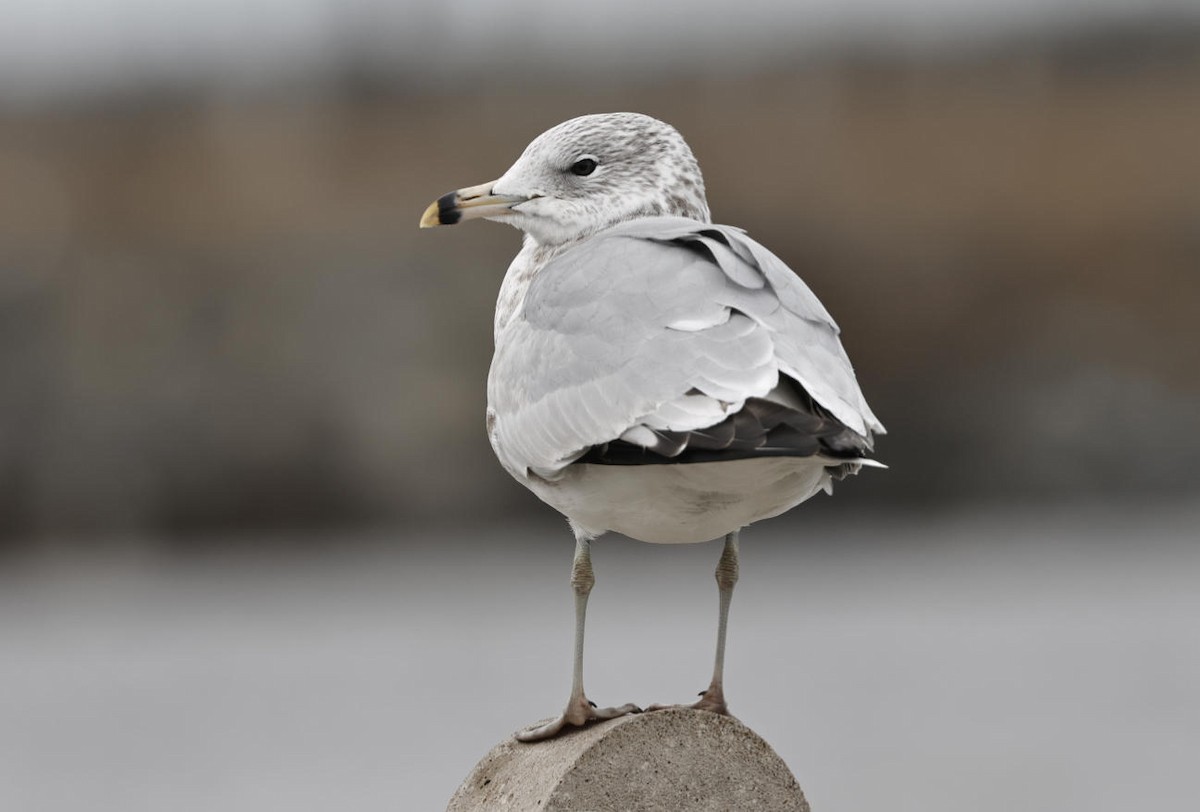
{"x": 681, "y": 504}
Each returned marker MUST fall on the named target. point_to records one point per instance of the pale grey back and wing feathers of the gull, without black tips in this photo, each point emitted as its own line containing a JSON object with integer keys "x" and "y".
{"x": 655, "y": 330}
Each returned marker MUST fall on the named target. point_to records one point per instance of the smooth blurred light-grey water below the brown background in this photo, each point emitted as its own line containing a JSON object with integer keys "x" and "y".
{"x": 974, "y": 661}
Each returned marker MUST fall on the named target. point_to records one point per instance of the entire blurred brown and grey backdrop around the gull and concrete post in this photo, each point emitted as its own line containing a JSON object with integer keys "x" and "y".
{"x": 251, "y": 532}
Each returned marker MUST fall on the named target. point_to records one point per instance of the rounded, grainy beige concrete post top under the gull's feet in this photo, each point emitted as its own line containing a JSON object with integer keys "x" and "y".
{"x": 664, "y": 761}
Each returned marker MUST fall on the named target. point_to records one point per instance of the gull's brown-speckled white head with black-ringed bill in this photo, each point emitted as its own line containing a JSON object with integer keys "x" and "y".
{"x": 584, "y": 177}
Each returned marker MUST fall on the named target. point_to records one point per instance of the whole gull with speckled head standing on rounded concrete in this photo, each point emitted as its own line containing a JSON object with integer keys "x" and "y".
{"x": 656, "y": 375}
